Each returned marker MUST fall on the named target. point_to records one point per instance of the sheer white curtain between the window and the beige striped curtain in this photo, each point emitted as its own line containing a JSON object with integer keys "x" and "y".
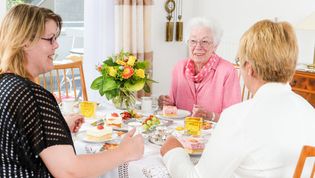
{"x": 98, "y": 40}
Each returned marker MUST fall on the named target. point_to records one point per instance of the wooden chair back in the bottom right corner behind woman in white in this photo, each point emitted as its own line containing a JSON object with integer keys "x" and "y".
{"x": 307, "y": 151}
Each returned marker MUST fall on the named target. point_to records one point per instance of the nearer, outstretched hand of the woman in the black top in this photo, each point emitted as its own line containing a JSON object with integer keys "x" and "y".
{"x": 132, "y": 146}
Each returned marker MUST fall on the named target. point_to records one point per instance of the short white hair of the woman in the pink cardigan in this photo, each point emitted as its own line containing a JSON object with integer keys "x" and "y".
{"x": 211, "y": 24}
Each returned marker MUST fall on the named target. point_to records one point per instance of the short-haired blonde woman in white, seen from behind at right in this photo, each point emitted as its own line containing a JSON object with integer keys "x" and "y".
{"x": 269, "y": 131}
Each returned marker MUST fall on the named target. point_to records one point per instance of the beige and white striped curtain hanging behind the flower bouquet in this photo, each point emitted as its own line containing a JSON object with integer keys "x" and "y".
{"x": 133, "y": 29}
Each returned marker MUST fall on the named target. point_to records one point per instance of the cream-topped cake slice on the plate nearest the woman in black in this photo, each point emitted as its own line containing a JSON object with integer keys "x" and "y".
{"x": 99, "y": 133}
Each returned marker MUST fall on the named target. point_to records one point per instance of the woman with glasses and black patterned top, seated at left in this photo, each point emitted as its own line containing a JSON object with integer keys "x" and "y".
{"x": 34, "y": 137}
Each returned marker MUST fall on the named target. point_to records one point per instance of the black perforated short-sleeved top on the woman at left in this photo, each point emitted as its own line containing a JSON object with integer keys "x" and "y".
{"x": 30, "y": 121}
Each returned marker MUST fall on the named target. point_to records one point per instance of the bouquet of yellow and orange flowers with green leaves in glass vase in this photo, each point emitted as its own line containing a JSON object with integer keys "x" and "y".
{"x": 121, "y": 76}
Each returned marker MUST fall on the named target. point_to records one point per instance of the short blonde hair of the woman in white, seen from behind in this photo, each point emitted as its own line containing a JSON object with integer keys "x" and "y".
{"x": 271, "y": 48}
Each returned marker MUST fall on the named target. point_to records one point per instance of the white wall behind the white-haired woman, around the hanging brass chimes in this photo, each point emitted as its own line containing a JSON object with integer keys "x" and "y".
{"x": 235, "y": 17}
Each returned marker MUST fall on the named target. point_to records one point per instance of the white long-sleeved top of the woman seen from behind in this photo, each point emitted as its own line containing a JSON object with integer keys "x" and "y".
{"x": 261, "y": 137}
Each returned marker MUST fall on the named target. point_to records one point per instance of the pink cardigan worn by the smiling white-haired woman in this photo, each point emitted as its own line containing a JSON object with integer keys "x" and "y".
{"x": 219, "y": 90}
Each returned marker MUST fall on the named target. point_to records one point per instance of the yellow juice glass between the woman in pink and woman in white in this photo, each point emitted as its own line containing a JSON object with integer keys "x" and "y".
{"x": 193, "y": 125}
